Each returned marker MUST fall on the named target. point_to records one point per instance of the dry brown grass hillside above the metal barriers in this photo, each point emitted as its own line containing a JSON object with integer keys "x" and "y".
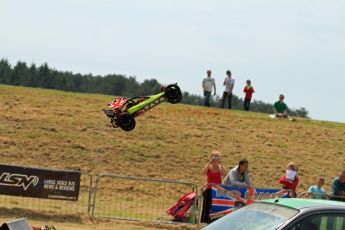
{"x": 68, "y": 130}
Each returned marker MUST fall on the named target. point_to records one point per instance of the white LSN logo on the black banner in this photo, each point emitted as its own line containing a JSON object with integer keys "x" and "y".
{"x": 18, "y": 180}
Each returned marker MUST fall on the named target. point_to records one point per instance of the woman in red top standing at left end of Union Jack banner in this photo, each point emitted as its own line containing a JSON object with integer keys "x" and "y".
{"x": 214, "y": 171}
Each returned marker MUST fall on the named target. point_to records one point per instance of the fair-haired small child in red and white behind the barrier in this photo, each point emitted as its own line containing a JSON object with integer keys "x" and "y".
{"x": 290, "y": 179}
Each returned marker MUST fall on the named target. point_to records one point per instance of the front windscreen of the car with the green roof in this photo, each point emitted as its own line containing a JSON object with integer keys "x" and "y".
{"x": 258, "y": 216}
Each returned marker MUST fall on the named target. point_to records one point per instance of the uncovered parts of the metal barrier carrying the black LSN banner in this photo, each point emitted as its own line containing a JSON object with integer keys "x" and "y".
{"x": 27, "y": 205}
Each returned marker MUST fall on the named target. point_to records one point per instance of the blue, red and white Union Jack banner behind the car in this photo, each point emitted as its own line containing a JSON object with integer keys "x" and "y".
{"x": 226, "y": 199}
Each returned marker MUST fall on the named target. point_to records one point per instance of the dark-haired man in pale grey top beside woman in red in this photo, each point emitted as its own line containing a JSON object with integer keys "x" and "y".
{"x": 238, "y": 176}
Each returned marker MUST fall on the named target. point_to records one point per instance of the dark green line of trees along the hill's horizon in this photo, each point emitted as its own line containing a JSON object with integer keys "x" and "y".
{"x": 43, "y": 76}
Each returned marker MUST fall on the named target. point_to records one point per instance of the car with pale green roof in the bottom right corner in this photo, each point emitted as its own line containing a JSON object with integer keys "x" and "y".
{"x": 287, "y": 214}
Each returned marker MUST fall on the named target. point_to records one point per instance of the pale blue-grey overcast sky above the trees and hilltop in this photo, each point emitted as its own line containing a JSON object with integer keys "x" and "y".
{"x": 294, "y": 47}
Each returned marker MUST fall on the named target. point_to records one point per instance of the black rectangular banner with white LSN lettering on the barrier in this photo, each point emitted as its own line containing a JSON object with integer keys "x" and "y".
{"x": 39, "y": 183}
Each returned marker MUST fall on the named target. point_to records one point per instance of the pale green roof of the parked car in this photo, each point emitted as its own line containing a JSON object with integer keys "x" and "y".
{"x": 298, "y": 203}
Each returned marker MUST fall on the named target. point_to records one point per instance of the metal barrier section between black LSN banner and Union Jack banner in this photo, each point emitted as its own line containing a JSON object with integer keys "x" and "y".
{"x": 134, "y": 198}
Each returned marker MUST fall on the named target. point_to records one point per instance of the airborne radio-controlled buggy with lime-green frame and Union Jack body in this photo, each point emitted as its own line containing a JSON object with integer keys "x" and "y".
{"x": 123, "y": 110}
